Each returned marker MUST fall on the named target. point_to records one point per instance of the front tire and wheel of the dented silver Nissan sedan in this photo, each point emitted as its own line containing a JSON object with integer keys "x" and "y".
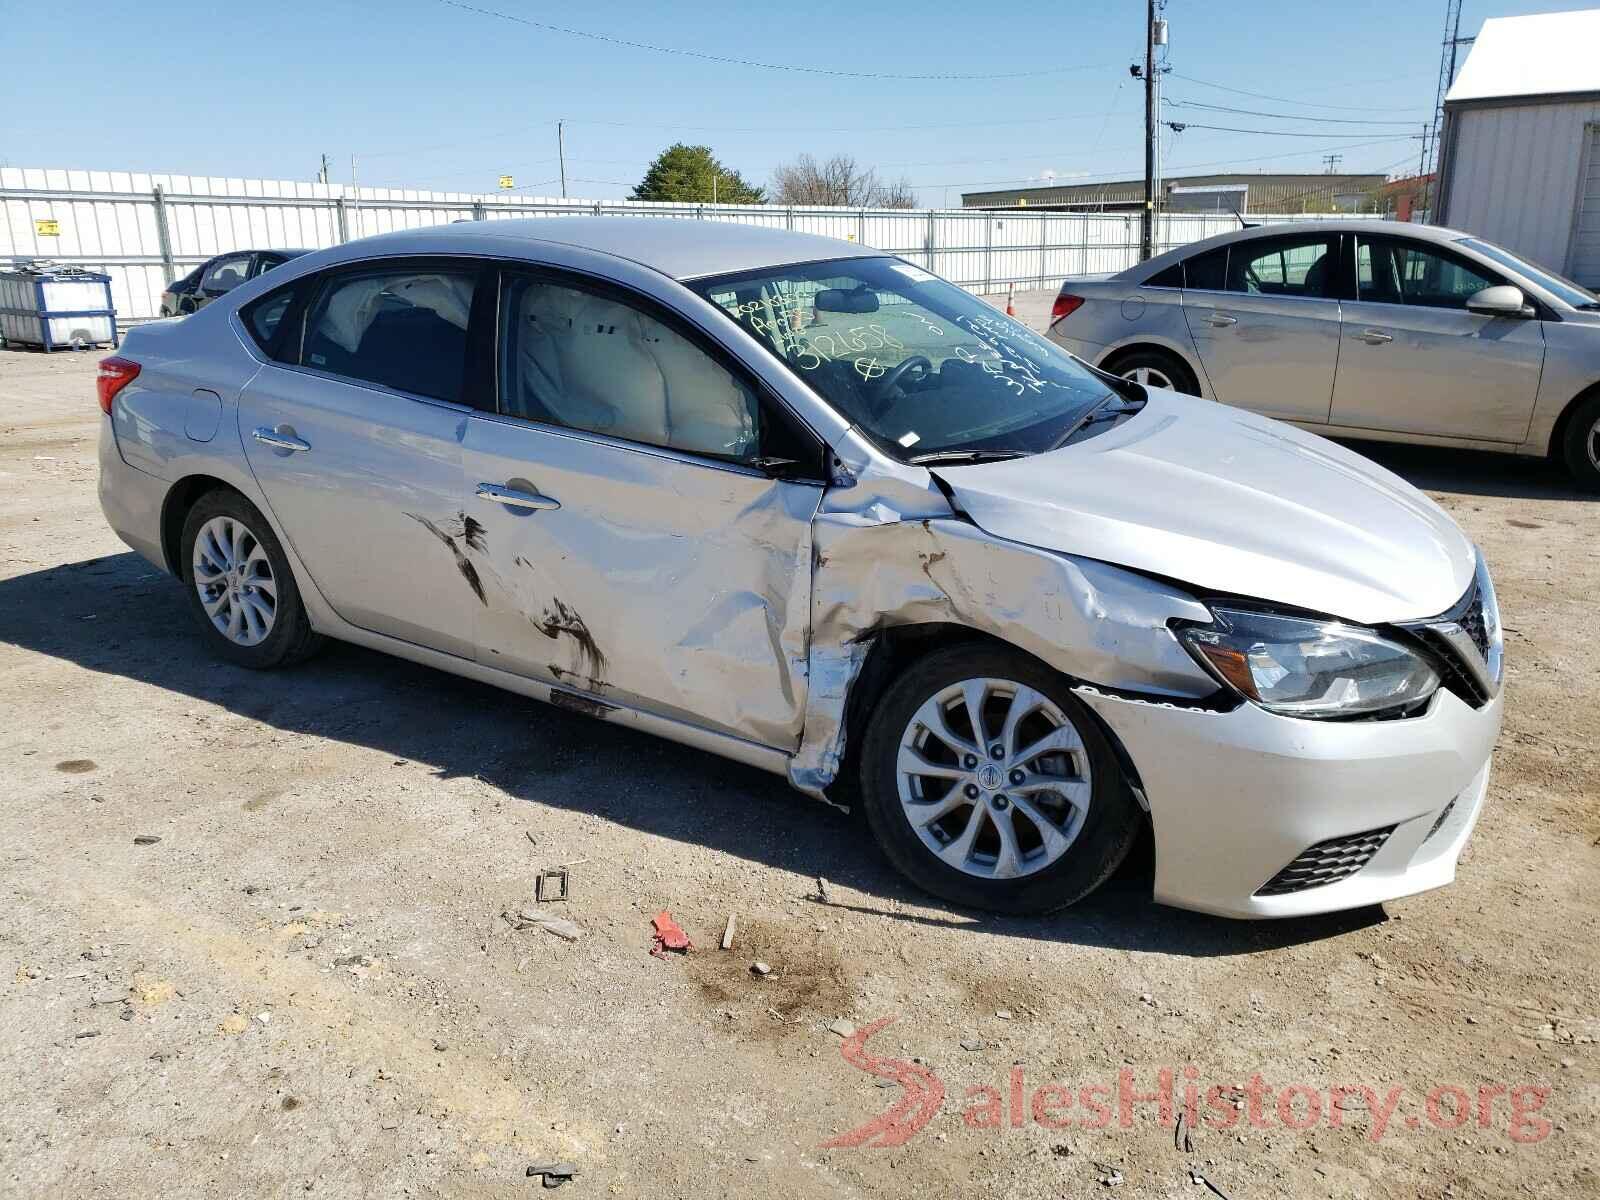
{"x": 990, "y": 785}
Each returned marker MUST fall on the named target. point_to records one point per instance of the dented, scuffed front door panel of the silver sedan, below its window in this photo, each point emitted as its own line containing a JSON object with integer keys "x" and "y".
{"x": 641, "y": 577}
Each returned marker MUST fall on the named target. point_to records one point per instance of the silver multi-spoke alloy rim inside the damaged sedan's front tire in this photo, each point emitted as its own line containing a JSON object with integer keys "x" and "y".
{"x": 994, "y": 778}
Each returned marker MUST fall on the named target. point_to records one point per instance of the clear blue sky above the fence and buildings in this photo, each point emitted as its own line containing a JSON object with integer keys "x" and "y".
{"x": 428, "y": 94}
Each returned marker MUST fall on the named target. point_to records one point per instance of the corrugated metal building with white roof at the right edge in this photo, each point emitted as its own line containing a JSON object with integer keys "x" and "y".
{"x": 1521, "y": 148}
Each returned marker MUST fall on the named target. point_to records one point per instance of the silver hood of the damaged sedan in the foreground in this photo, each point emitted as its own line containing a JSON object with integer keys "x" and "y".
{"x": 1233, "y": 503}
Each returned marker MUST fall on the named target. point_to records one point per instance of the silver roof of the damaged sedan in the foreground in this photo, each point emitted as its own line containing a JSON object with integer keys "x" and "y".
{"x": 681, "y": 249}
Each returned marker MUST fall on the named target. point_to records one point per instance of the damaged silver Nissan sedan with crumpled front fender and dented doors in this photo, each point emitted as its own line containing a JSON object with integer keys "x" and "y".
{"x": 807, "y": 506}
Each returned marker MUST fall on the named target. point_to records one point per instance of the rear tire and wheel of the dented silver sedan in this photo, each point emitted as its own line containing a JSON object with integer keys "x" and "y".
{"x": 241, "y": 588}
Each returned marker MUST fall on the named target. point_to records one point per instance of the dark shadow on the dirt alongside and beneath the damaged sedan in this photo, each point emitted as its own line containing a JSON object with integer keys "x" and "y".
{"x": 121, "y": 617}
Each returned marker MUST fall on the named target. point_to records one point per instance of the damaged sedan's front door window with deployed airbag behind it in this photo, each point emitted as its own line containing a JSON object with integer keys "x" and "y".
{"x": 585, "y": 361}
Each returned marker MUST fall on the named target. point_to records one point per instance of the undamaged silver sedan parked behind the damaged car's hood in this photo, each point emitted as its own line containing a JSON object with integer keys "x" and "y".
{"x": 1359, "y": 329}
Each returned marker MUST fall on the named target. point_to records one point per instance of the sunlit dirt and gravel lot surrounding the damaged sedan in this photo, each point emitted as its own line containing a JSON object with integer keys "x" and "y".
{"x": 308, "y": 986}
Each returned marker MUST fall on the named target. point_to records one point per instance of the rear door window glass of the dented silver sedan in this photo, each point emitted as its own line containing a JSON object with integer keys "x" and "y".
{"x": 399, "y": 329}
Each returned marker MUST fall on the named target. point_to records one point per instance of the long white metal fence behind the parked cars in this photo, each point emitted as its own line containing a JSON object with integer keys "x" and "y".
{"x": 148, "y": 230}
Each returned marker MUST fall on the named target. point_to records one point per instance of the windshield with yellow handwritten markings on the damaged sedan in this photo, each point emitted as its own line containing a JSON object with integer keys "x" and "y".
{"x": 918, "y": 364}
